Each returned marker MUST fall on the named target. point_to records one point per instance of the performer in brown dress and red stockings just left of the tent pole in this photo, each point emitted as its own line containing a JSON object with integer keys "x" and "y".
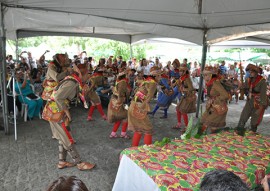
{"x": 187, "y": 103}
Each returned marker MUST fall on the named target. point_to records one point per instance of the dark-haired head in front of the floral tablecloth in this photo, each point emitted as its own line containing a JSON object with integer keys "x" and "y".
{"x": 222, "y": 180}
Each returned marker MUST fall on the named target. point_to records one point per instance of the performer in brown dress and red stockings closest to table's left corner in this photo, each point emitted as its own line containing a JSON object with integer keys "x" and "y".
{"x": 138, "y": 120}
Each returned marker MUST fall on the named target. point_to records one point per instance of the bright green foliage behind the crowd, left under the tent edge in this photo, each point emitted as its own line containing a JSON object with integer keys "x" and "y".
{"x": 93, "y": 46}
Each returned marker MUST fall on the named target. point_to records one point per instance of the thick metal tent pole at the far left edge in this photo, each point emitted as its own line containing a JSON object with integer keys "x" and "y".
{"x": 3, "y": 71}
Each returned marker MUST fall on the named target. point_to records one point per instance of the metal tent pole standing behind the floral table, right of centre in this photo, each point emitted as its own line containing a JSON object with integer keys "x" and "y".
{"x": 204, "y": 53}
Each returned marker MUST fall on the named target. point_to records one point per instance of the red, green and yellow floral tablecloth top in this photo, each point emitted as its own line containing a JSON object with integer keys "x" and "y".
{"x": 181, "y": 164}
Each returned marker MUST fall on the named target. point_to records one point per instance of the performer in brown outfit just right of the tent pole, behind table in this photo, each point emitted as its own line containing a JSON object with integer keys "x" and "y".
{"x": 215, "y": 114}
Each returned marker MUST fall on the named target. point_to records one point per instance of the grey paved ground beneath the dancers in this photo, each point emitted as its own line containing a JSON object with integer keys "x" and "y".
{"x": 30, "y": 162}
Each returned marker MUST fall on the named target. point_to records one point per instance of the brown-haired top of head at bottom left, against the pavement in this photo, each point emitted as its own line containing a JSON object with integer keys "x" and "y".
{"x": 67, "y": 183}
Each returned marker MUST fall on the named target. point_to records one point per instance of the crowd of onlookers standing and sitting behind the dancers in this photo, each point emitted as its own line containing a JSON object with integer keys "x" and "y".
{"x": 138, "y": 69}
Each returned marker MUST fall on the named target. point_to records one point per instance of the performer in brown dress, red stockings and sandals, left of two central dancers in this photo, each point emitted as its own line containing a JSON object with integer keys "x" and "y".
{"x": 116, "y": 111}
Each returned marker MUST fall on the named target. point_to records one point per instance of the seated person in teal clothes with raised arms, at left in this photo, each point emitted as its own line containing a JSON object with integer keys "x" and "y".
{"x": 28, "y": 97}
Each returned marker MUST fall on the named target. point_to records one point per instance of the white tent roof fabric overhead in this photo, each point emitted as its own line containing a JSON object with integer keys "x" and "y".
{"x": 133, "y": 20}
